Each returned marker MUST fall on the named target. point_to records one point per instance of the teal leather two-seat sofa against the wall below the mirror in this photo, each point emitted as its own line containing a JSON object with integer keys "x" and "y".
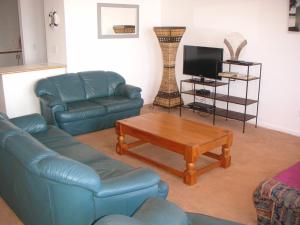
{"x": 87, "y": 101}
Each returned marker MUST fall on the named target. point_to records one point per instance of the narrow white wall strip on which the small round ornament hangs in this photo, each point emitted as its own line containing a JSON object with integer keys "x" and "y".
{"x": 55, "y": 37}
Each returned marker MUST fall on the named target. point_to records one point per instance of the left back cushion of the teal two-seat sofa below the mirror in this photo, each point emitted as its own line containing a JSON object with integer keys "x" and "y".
{"x": 69, "y": 87}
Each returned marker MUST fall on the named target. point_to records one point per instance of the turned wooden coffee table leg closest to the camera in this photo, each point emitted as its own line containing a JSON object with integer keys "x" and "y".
{"x": 190, "y": 174}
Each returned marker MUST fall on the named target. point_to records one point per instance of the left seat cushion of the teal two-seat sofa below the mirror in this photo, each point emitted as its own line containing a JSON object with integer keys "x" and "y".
{"x": 80, "y": 111}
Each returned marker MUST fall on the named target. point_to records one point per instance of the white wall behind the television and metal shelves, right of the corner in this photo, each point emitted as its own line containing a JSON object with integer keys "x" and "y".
{"x": 264, "y": 23}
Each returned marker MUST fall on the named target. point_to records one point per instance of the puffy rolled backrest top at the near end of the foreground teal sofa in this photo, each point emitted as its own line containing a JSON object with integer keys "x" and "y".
{"x": 67, "y": 171}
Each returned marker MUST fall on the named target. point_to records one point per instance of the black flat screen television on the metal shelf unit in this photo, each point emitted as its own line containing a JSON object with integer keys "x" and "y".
{"x": 204, "y": 62}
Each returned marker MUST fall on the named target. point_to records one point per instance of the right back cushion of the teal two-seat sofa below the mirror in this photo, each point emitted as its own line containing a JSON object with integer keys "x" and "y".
{"x": 100, "y": 83}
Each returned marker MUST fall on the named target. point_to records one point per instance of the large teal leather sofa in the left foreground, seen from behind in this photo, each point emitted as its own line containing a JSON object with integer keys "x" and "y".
{"x": 49, "y": 178}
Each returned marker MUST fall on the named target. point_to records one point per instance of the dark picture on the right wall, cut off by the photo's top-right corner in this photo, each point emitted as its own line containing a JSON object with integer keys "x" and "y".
{"x": 294, "y": 16}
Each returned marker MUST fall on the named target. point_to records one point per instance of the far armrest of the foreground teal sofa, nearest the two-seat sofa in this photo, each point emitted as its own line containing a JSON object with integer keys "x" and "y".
{"x": 32, "y": 124}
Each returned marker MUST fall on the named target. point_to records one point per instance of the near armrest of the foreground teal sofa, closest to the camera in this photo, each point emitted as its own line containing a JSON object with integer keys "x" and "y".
{"x": 132, "y": 181}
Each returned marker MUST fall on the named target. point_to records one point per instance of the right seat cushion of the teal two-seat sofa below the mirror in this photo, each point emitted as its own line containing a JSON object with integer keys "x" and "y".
{"x": 118, "y": 103}
